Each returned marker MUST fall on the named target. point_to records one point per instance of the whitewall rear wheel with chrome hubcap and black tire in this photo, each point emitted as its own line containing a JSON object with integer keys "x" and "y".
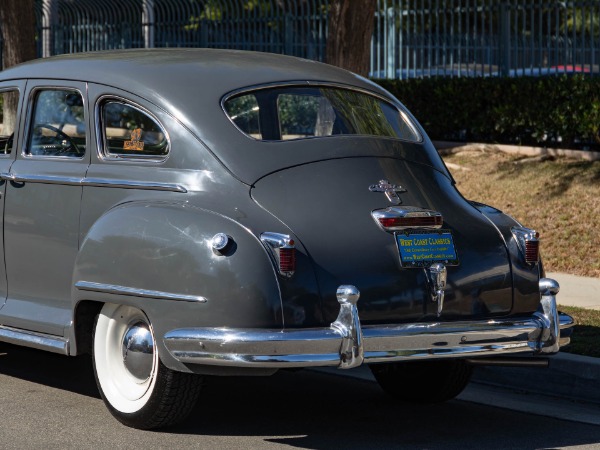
{"x": 136, "y": 387}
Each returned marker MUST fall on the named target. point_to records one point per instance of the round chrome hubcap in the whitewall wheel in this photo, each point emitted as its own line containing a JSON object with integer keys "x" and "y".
{"x": 138, "y": 351}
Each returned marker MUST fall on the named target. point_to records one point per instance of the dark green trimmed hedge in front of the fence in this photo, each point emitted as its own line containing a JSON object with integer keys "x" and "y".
{"x": 539, "y": 111}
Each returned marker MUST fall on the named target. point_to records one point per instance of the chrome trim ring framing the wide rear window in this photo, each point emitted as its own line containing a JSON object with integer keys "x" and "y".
{"x": 316, "y": 84}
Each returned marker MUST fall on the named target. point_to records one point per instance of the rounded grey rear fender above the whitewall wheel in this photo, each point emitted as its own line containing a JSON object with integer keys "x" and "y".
{"x": 158, "y": 257}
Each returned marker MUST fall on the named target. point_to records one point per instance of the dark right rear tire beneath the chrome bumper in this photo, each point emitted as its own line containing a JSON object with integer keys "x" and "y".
{"x": 423, "y": 381}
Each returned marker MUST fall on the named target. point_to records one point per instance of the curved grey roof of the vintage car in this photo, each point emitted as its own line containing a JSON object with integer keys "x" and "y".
{"x": 144, "y": 70}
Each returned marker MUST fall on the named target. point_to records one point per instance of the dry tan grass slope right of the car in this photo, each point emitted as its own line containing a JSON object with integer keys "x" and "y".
{"x": 558, "y": 198}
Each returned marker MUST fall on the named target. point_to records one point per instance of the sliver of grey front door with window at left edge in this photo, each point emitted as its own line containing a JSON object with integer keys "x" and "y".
{"x": 11, "y": 94}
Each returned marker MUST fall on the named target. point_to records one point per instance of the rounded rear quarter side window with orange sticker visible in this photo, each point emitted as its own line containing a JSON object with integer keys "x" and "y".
{"x": 128, "y": 131}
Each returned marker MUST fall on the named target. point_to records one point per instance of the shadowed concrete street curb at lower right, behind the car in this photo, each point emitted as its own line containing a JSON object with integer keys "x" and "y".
{"x": 572, "y": 377}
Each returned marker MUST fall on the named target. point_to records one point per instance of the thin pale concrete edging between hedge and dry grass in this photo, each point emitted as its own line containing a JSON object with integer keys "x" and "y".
{"x": 446, "y": 148}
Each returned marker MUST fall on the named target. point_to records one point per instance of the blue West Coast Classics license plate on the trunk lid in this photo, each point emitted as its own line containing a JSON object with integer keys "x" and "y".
{"x": 424, "y": 249}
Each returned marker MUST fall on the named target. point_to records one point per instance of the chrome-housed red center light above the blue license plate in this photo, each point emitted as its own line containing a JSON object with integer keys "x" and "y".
{"x": 398, "y": 218}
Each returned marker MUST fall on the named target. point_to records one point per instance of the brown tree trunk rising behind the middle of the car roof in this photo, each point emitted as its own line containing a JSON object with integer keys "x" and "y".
{"x": 349, "y": 37}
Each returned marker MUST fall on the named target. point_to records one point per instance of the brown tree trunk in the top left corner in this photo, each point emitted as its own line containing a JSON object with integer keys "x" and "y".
{"x": 17, "y": 21}
